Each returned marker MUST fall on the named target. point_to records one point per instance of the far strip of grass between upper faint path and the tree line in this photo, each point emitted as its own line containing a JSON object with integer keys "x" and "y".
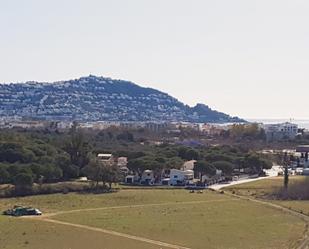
{"x": 60, "y": 202}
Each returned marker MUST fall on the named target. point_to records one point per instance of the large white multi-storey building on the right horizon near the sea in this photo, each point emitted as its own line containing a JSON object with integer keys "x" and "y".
{"x": 281, "y": 131}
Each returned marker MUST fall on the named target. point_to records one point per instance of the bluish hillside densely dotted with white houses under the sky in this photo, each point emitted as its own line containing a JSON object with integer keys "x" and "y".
{"x": 97, "y": 98}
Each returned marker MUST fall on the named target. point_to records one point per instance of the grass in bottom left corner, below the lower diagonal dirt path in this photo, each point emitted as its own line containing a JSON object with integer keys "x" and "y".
{"x": 16, "y": 233}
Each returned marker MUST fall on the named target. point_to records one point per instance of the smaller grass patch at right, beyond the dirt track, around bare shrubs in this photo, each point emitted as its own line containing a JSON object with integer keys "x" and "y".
{"x": 264, "y": 188}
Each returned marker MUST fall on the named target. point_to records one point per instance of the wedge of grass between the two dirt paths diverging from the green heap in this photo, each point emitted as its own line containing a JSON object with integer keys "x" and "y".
{"x": 228, "y": 224}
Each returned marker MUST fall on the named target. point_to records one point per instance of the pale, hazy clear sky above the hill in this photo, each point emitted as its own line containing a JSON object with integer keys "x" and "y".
{"x": 245, "y": 58}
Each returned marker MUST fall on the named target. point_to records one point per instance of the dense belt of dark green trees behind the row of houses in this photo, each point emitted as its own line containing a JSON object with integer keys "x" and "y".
{"x": 28, "y": 157}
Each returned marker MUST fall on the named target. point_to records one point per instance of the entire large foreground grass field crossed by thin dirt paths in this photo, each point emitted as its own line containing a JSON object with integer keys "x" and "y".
{"x": 197, "y": 221}
